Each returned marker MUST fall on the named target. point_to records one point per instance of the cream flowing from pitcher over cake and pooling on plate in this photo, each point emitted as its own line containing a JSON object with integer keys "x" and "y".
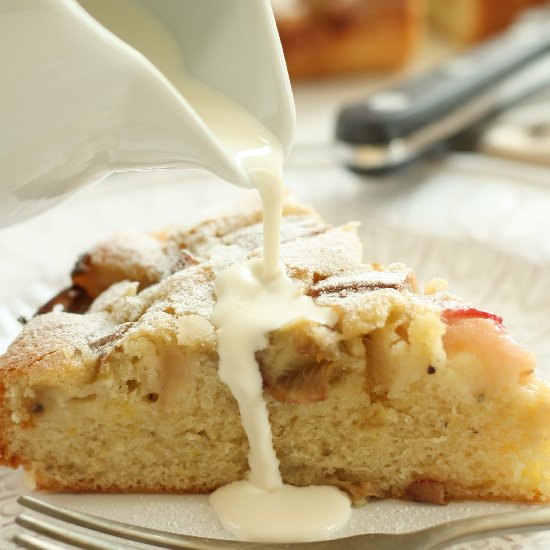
{"x": 253, "y": 298}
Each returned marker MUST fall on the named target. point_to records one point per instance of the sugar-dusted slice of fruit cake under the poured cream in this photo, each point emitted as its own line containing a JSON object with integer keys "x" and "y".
{"x": 411, "y": 395}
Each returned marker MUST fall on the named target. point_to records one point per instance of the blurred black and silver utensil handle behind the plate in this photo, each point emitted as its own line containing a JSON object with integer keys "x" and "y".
{"x": 403, "y": 121}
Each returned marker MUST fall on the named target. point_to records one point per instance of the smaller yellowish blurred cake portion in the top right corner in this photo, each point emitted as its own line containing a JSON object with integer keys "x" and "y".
{"x": 469, "y": 21}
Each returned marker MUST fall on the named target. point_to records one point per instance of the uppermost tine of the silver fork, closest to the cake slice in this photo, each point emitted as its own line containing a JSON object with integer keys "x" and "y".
{"x": 131, "y": 532}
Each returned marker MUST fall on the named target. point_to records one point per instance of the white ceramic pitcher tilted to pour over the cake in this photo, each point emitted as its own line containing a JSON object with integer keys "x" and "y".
{"x": 78, "y": 103}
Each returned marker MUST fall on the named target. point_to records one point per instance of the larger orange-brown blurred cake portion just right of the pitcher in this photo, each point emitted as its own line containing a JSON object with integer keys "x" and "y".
{"x": 327, "y": 37}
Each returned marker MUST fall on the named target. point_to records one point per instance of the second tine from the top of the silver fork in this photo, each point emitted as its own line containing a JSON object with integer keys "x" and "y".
{"x": 62, "y": 534}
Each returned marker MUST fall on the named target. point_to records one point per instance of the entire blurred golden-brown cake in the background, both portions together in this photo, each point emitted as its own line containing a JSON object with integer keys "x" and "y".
{"x": 331, "y": 37}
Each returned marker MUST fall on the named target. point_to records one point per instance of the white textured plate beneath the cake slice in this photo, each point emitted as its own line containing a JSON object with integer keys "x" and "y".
{"x": 480, "y": 227}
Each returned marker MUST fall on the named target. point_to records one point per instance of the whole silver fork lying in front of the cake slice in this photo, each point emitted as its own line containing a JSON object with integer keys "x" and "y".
{"x": 426, "y": 539}
